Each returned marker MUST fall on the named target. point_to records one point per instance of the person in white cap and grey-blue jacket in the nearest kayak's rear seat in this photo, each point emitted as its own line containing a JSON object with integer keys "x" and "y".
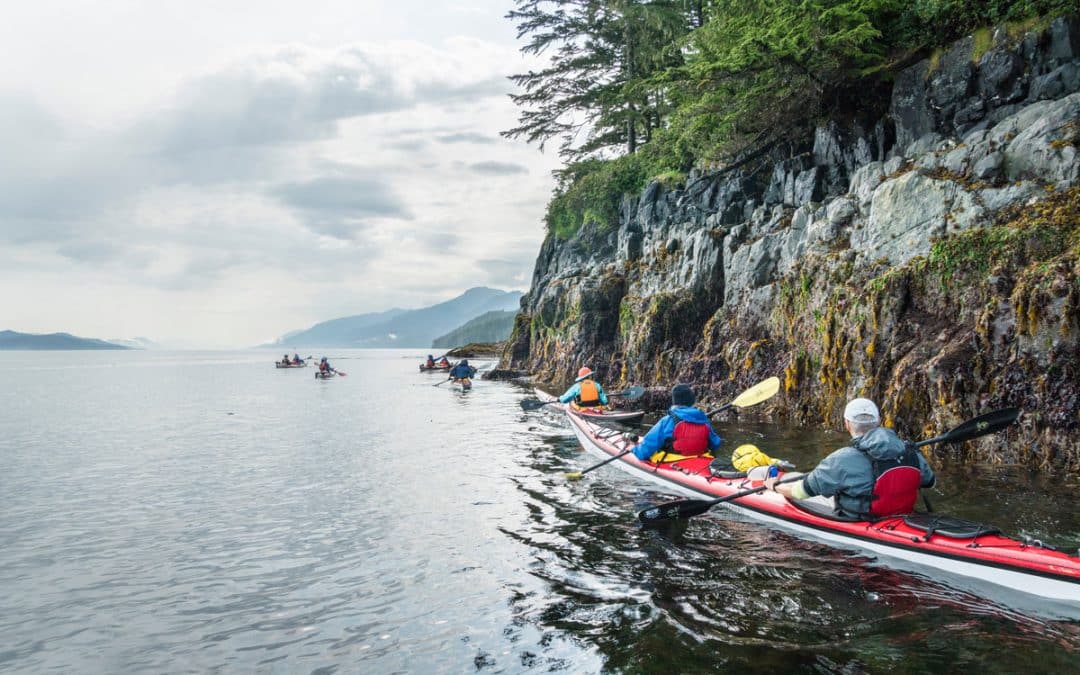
{"x": 879, "y": 475}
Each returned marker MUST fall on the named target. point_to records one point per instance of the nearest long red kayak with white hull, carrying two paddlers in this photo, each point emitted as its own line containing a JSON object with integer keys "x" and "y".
{"x": 923, "y": 541}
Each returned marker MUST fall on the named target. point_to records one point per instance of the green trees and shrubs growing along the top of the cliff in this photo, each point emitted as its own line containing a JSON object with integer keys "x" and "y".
{"x": 643, "y": 90}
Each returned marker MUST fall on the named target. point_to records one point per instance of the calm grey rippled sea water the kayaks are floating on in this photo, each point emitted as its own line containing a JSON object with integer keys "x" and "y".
{"x": 204, "y": 512}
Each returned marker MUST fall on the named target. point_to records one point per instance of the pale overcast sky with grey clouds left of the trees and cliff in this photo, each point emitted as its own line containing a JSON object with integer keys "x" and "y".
{"x": 218, "y": 173}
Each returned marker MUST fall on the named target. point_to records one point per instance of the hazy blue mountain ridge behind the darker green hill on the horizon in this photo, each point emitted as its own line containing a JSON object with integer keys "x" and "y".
{"x": 399, "y": 328}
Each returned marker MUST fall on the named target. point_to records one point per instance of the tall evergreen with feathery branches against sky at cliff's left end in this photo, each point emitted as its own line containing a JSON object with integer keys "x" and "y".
{"x": 596, "y": 92}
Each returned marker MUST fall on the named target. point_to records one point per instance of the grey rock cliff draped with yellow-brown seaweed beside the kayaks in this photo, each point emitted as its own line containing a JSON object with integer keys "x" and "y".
{"x": 929, "y": 262}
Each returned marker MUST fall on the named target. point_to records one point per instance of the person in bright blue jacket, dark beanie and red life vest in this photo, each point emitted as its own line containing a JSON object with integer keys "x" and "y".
{"x": 684, "y": 433}
